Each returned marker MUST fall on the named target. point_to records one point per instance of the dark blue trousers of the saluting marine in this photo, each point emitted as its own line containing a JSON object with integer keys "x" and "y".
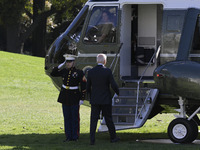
{"x": 71, "y": 121}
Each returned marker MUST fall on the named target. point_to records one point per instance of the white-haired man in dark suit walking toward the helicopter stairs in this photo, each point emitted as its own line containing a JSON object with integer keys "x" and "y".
{"x": 98, "y": 86}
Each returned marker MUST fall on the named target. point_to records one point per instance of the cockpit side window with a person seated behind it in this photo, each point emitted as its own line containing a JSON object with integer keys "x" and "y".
{"x": 102, "y": 25}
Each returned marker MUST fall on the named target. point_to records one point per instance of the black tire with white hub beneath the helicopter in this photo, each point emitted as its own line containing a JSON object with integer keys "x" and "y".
{"x": 181, "y": 130}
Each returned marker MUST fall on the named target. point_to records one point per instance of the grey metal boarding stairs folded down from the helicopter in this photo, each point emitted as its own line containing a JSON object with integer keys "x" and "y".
{"x": 131, "y": 108}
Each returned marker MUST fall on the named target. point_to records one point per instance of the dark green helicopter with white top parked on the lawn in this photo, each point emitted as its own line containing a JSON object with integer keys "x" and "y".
{"x": 153, "y": 50}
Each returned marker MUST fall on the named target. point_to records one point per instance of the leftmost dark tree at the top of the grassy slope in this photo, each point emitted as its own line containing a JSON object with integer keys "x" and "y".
{"x": 10, "y": 16}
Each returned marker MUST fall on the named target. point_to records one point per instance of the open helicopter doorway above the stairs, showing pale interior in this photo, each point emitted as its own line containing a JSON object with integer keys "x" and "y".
{"x": 141, "y": 35}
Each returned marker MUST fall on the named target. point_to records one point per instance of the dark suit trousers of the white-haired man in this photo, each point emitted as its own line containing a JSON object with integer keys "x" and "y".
{"x": 107, "y": 113}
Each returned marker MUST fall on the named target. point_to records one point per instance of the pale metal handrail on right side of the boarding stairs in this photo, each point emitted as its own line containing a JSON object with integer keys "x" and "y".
{"x": 156, "y": 53}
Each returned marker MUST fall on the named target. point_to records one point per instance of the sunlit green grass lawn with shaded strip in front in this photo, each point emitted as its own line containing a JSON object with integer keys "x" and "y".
{"x": 31, "y": 118}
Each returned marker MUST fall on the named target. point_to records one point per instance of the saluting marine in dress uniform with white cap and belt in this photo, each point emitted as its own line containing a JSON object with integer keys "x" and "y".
{"x": 70, "y": 95}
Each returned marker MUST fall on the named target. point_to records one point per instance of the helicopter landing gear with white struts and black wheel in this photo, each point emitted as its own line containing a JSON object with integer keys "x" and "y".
{"x": 181, "y": 129}
